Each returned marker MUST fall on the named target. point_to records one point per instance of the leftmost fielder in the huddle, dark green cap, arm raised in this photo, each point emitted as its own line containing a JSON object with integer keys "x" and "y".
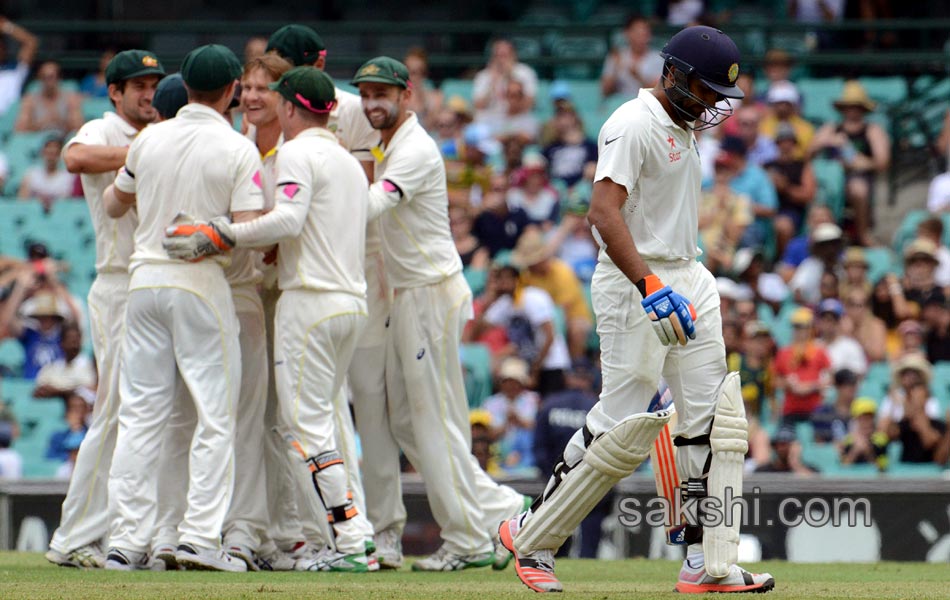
{"x": 96, "y": 152}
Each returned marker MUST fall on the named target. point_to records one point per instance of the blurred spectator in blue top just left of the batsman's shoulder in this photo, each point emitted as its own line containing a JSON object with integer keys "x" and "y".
{"x": 572, "y": 156}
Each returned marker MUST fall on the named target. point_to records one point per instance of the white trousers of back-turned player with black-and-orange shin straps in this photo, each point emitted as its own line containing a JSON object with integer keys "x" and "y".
{"x": 315, "y": 336}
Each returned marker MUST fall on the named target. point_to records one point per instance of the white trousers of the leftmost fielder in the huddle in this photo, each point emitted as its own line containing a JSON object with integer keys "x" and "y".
{"x": 85, "y": 517}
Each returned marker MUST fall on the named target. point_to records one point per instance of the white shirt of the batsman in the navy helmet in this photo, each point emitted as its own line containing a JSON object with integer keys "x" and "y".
{"x": 657, "y": 162}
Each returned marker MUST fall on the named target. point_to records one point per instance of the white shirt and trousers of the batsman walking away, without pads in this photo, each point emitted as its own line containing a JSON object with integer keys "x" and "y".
{"x": 642, "y": 149}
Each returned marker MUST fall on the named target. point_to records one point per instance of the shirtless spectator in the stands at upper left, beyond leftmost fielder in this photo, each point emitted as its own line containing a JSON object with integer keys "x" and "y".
{"x": 51, "y": 108}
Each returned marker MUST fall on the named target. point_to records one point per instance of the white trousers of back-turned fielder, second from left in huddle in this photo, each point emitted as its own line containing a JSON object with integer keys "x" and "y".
{"x": 195, "y": 332}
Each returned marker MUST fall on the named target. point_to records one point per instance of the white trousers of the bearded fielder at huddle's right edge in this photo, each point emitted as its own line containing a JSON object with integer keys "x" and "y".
{"x": 428, "y": 414}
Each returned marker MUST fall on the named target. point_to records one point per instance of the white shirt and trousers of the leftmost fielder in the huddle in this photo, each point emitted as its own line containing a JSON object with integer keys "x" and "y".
{"x": 85, "y": 516}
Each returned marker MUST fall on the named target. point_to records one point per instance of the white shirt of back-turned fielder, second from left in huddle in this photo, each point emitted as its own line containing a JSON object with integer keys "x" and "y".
{"x": 195, "y": 163}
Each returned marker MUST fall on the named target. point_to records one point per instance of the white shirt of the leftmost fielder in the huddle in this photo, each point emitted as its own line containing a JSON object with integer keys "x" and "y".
{"x": 113, "y": 236}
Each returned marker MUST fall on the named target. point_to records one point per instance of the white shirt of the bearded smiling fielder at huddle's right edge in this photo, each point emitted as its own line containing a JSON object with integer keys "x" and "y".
{"x": 417, "y": 242}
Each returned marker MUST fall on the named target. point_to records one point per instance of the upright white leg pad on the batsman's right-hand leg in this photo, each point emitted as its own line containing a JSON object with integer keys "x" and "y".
{"x": 729, "y": 443}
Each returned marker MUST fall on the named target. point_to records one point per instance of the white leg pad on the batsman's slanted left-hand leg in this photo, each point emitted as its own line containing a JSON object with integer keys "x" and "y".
{"x": 609, "y": 458}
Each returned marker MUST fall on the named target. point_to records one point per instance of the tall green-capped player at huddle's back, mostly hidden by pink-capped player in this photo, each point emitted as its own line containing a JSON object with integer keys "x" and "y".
{"x": 301, "y": 45}
